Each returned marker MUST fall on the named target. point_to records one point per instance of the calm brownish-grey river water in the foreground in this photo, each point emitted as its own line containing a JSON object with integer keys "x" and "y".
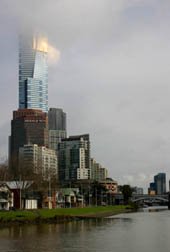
{"x": 133, "y": 232}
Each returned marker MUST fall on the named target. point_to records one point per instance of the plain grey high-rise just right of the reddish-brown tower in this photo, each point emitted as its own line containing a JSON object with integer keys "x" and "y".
{"x": 57, "y": 127}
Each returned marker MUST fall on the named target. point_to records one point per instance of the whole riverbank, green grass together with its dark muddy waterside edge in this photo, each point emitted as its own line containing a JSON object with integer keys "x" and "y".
{"x": 58, "y": 215}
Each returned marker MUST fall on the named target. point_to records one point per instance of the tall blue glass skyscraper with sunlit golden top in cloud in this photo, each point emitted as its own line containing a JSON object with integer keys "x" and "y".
{"x": 33, "y": 73}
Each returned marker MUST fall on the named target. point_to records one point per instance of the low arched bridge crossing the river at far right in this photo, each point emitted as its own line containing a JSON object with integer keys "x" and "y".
{"x": 151, "y": 199}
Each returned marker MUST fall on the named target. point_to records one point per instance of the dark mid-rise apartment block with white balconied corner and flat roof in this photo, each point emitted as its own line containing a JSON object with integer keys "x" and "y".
{"x": 74, "y": 158}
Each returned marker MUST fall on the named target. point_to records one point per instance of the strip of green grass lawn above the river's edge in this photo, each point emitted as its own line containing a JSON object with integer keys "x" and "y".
{"x": 46, "y": 214}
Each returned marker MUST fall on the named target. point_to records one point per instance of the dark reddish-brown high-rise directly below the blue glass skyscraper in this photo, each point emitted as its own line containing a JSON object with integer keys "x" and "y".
{"x": 28, "y": 126}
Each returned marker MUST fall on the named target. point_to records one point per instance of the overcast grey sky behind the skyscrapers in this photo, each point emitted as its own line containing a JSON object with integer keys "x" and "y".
{"x": 112, "y": 78}
